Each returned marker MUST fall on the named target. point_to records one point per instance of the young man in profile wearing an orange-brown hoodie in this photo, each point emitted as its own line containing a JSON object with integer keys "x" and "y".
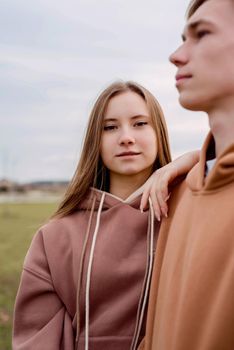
{"x": 191, "y": 304}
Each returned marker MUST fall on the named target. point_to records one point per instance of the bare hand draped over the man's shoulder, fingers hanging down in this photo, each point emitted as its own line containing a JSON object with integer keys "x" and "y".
{"x": 156, "y": 187}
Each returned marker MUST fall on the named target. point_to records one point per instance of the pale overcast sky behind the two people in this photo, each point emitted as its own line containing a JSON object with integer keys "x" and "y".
{"x": 57, "y": 56}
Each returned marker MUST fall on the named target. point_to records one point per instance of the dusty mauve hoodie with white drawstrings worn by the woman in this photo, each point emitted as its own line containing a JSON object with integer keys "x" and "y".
{"x": 86, "y": 278}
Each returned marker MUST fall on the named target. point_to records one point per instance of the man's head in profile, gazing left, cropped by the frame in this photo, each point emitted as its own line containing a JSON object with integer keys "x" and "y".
{"x": 205, "y": 76}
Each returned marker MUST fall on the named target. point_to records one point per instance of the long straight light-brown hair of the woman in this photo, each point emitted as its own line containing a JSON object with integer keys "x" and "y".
{"x": 90, "y": 171}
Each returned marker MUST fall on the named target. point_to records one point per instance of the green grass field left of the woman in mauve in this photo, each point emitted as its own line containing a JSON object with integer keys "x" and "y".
{"x": 18, "y": 223}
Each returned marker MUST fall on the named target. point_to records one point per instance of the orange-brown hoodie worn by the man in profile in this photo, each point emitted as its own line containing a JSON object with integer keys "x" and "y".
{"x": 191, "y": 304}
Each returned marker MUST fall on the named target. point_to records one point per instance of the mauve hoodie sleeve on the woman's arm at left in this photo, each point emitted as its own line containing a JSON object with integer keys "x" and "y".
{"x": 41, "y": 320}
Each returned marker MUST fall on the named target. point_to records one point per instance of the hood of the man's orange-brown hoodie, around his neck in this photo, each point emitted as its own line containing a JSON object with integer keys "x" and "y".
{"x": 222, "y": 173}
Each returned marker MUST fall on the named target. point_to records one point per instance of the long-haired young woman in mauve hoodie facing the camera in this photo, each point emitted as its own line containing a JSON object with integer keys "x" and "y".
{"x": 86, "y": 276}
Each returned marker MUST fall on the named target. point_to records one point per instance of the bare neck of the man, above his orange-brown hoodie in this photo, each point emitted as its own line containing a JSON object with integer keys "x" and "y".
{"x": 222, "y": 128}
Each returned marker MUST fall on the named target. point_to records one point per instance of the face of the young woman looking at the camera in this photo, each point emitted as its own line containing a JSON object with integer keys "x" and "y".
{"x": 128, "y": 143}
